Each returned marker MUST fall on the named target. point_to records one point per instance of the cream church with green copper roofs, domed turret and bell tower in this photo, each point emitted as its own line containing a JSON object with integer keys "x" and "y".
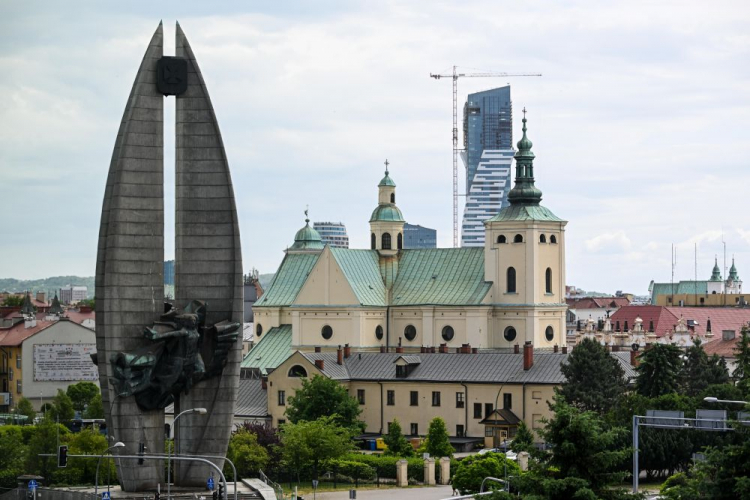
{"x": 509, "y": 293}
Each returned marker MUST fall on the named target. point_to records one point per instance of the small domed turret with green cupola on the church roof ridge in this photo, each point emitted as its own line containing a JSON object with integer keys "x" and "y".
{"x": 386, "y": 222}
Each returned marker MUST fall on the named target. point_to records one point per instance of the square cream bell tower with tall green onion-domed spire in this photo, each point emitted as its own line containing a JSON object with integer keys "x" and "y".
{"x": 525, "y": 261}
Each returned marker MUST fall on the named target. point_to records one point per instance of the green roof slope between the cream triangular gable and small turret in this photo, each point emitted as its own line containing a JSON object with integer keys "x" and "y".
{"x": 361, "y": 270}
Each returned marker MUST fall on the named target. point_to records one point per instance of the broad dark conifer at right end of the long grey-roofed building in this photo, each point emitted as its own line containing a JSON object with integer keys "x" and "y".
{"x": 594, "y": 379}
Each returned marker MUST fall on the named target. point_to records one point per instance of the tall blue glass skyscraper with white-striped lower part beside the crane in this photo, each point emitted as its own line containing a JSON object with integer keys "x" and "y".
{"x": 488, "y": 155}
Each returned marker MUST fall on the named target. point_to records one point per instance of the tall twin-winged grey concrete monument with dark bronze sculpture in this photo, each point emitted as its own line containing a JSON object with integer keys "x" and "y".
{"x": 186, "y": 354}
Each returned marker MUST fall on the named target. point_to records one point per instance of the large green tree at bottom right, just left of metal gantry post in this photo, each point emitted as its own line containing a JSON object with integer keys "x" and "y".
{"x": 584, "y": 447}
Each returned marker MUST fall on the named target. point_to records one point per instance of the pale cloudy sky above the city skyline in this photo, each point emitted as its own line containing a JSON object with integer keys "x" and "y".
{"x": 640, "y": 123}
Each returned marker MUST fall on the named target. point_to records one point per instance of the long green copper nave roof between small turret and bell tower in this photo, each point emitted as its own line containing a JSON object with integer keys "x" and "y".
{"x": 447, "y": 276}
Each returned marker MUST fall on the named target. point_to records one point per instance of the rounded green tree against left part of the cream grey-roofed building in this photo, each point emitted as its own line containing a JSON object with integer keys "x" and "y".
{"x": 323, "y": 397}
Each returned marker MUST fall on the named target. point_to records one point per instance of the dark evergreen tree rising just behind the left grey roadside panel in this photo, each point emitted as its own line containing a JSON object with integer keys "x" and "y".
{"x": 659, "y": 370}
